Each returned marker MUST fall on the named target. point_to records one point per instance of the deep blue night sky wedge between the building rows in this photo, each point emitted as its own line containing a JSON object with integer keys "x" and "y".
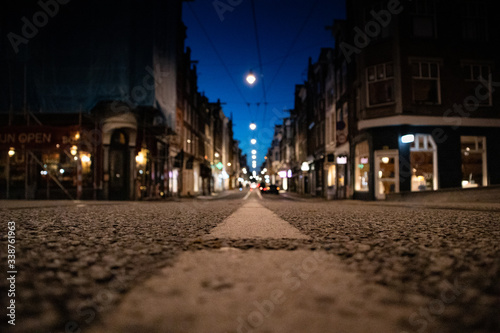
{"x": 290, "y": 31}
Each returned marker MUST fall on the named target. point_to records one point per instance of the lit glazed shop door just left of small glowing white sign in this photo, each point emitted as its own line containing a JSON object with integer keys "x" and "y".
{"x": 386, "y": 173}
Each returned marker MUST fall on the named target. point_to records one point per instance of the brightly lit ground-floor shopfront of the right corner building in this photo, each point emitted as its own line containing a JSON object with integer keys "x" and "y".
{"x": 399, "y": 159}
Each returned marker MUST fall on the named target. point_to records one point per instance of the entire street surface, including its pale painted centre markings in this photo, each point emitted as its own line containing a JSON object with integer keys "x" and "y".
{"x": 237, "y": 264}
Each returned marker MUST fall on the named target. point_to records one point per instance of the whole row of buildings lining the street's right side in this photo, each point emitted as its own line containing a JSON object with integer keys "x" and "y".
{"x": 405, "y": 102}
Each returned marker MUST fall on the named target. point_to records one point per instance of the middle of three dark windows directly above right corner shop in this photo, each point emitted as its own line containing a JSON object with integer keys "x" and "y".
{"x": 426, "y": 83}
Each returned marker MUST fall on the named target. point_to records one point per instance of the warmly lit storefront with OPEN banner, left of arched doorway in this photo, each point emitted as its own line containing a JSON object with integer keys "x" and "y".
{"x": 42, "y": 162}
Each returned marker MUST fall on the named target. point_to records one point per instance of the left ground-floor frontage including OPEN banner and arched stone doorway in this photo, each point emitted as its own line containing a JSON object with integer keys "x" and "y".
{"x": 102, "y": 157}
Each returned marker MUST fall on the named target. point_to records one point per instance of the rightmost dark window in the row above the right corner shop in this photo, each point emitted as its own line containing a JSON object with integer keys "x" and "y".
{"x": 478, "y": 82}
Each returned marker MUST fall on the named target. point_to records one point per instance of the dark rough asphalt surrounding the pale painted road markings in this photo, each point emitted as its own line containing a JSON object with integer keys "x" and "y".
{"x": 76, "y": 262}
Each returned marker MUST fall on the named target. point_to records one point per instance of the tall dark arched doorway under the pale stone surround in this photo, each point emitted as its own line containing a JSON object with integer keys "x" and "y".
{"x": 119, "y": 166}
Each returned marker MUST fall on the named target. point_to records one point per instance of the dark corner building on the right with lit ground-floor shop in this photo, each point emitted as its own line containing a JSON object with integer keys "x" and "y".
{"x": 426, "y": 115}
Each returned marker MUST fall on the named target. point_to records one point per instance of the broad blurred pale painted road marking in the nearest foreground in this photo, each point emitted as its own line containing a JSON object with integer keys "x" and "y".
{"x": 279, "y": 291}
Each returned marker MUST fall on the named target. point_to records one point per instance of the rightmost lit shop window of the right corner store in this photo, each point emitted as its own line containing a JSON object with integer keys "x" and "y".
{"x": 474, "y": 168}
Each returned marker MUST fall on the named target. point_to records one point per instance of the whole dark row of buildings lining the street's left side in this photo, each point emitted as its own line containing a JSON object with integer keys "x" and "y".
{"x": 100, "y": 101}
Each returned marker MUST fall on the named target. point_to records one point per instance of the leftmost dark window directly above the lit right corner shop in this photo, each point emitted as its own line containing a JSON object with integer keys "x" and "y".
{"x": 380, "y": 84}
